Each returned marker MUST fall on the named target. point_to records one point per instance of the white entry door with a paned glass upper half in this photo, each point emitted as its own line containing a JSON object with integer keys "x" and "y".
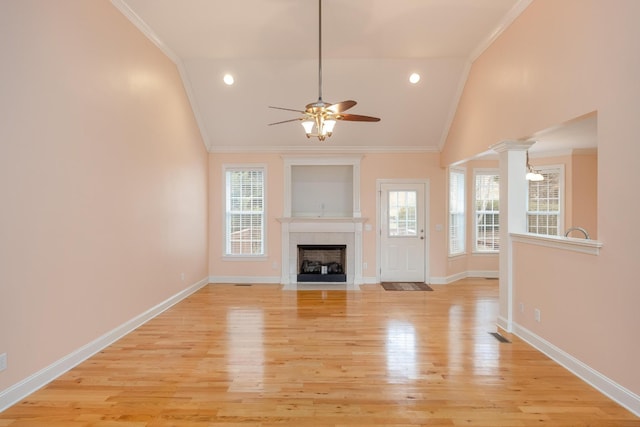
{"x": 402, "y": 232}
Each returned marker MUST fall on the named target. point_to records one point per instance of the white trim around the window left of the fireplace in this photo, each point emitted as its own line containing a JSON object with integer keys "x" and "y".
{"x": 235, "y": 167}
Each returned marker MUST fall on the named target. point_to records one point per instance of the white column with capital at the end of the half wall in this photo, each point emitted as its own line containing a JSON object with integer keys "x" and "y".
{"x": 513, "y": 217}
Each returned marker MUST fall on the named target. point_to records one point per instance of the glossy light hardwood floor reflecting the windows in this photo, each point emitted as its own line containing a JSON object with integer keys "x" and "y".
{"x": 259, "y": 356}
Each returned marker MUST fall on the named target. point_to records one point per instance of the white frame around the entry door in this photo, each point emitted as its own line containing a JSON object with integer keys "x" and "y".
{"x": 425, "y": 209}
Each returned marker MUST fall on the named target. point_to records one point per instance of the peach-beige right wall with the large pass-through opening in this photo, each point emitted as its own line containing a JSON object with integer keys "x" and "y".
{"x": 559, "y": 61}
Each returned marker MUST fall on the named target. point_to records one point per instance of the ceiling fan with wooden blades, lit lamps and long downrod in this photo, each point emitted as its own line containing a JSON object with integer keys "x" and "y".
{"x": 322, "y": 115}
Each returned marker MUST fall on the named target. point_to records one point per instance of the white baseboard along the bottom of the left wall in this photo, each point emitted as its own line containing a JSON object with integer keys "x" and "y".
{"x": 19, "y": 391}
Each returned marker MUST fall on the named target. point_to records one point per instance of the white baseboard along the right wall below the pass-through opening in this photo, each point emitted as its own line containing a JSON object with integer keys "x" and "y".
{"x": 605, "y": 385}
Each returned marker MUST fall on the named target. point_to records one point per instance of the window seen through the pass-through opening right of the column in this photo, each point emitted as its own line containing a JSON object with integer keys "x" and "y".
{"x": 544, "y": 203}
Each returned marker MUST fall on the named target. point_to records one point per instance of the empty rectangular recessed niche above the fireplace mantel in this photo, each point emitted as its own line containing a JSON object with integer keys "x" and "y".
{"x": 322, "y": 191}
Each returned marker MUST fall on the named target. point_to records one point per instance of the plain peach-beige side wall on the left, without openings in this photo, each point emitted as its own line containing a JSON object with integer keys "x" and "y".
{"x": 103, "y": 180}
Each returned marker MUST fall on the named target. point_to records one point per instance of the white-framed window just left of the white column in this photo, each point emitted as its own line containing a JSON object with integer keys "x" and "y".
{"x": 487, "y": 211}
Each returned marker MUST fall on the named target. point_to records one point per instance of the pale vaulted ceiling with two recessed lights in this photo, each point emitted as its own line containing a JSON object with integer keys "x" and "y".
{"x": 369, "y": 49}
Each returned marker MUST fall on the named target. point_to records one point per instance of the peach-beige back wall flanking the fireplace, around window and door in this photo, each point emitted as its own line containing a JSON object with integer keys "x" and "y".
{"x": 373, "y": 167}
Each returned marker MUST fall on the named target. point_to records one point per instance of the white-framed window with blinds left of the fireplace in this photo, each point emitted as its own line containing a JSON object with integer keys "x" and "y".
{"x": 245, "y": 209}
